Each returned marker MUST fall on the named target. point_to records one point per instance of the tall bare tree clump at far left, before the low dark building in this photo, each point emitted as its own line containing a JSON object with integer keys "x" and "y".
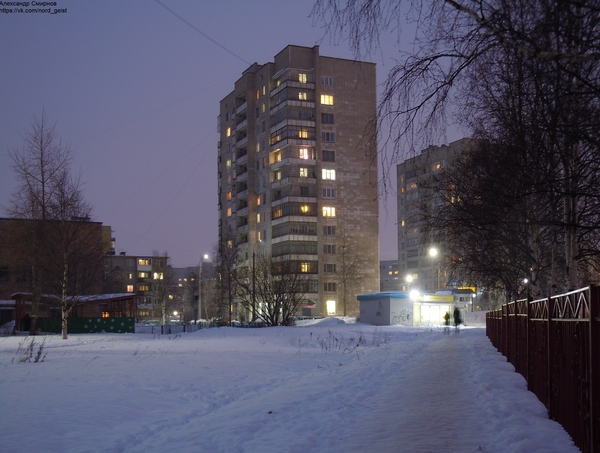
{"x": 48, "y": 193}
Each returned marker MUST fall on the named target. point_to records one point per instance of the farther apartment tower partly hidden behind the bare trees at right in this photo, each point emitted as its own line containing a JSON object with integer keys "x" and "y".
{"x": 419, "y": 259}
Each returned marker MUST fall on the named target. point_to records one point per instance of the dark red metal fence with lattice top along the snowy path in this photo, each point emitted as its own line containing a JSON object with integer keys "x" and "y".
{"x": 555, "y": 344}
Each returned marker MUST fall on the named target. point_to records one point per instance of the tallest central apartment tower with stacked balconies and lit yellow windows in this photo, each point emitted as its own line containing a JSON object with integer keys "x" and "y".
{"x": 295, "y": 183}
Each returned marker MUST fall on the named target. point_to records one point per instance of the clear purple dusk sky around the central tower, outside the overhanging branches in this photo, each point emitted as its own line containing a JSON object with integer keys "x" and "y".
{"x": 136, "y": 91}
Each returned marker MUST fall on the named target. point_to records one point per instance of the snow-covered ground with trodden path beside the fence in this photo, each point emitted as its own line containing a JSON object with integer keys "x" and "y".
{"x": 329, "y": 386}
